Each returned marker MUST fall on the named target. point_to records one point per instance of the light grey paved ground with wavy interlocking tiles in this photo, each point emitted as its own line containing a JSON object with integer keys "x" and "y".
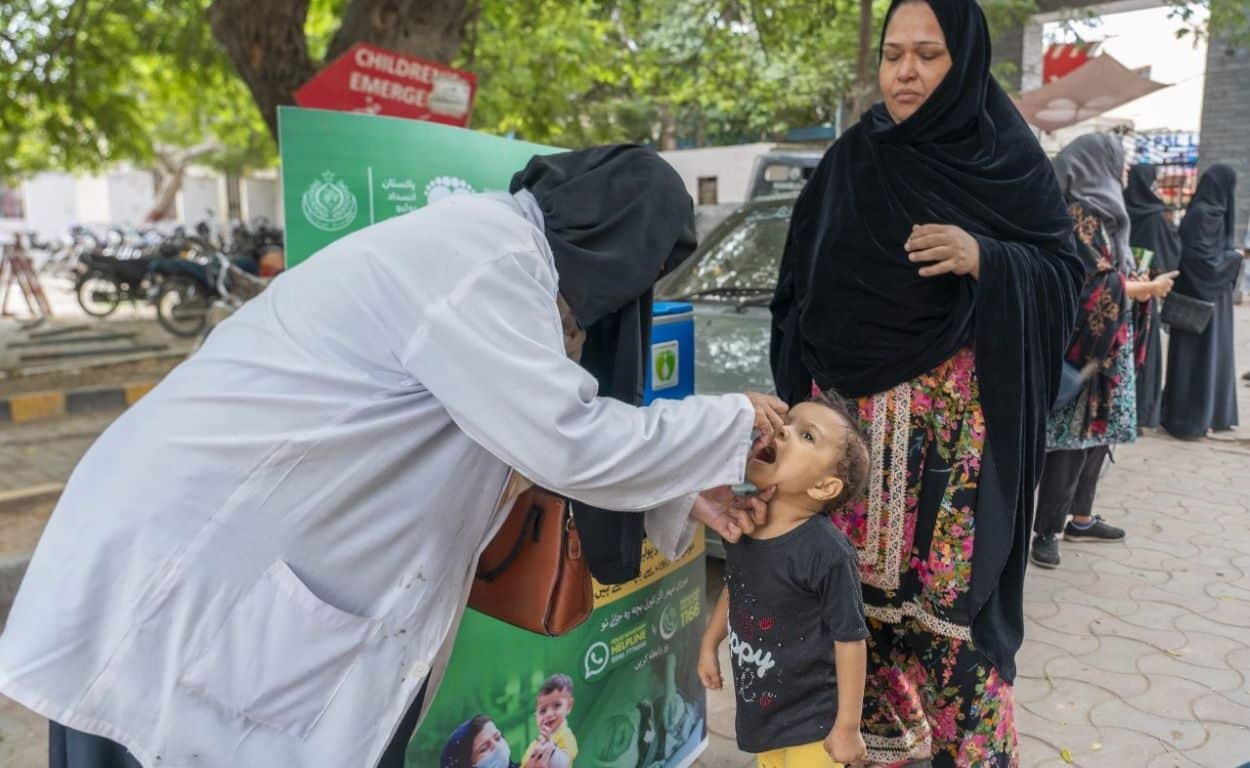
{"x": 1137, "y": 655}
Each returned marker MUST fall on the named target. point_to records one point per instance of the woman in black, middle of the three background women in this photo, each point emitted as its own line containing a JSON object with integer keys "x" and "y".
{"x": 1151, "y": 231}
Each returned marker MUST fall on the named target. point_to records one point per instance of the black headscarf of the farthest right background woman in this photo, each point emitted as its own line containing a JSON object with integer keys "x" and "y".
{"x": 1209, "y": 262}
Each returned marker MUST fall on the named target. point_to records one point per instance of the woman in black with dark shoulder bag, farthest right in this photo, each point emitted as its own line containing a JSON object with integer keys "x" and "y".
{"x": 1202, "y": 392}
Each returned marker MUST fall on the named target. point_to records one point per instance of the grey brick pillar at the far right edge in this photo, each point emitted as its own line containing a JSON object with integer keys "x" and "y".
{"x": 1226, "y": 136}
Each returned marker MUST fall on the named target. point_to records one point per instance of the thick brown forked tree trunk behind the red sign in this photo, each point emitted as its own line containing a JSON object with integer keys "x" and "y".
{"x": 267, "y": 44}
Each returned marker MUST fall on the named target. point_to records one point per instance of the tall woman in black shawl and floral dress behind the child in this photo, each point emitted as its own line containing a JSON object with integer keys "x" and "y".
{"x": 932, "y": 275}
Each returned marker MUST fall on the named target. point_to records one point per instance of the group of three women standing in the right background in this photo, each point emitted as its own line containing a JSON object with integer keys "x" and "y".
{"x": 1114, "y": 367}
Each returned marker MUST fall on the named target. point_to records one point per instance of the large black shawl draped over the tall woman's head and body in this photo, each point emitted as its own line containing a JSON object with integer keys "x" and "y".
{"x": 852, "y": 312}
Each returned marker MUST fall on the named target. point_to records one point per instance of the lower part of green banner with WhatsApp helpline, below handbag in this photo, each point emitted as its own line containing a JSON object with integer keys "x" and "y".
{"x": 636, "y": 696}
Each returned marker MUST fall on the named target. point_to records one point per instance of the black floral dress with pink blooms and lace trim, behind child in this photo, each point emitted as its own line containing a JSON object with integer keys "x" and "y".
{"x": 931, "y": 694}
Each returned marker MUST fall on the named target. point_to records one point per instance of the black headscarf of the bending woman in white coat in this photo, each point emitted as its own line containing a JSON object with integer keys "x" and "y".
{"x": 617, "y": 218}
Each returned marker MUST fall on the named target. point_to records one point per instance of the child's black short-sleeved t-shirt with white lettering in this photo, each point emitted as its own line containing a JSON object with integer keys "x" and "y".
{"x": 791, "y": 599}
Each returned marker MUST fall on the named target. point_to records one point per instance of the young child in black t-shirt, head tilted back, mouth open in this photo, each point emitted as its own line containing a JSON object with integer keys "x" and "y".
{"x": 792, "y": 606}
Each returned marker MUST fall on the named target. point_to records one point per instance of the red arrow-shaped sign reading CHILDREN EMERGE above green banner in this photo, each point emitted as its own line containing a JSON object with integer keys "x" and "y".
{"x": 371, "y": 79}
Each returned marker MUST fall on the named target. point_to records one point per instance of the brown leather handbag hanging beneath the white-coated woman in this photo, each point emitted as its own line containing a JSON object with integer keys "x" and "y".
{"x": 533, "y": 575}
